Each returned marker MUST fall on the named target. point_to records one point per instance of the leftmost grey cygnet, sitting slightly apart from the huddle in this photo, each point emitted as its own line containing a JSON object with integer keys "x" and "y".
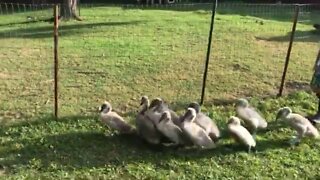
{"x": 113, "y": 120}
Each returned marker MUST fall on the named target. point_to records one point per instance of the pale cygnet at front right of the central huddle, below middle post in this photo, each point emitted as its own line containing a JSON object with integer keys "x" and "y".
{"x": 196, "y": 134}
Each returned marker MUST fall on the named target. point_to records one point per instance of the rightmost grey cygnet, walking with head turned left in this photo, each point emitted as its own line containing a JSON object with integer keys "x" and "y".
{"x": 300, "y": 124}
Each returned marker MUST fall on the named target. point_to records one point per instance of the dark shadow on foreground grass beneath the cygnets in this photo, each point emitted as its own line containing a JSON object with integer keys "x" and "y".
{"x": 91, "y": 148}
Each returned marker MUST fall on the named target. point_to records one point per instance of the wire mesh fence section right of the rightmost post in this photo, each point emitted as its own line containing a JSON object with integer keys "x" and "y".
{"x": 306, "y": 45}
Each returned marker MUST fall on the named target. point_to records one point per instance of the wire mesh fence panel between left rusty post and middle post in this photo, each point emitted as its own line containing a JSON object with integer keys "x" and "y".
{"x": 123, "y": 53}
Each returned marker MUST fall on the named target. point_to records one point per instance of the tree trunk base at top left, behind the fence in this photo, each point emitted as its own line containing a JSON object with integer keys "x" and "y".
{"x": 68, "y": 10}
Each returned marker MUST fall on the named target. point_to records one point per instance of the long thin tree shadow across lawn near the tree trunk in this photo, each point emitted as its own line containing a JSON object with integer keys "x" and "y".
{"x": 64, "y": 29}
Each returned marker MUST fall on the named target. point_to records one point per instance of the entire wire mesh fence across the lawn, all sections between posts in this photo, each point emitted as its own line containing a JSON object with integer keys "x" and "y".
{"x": 120, "y": 53}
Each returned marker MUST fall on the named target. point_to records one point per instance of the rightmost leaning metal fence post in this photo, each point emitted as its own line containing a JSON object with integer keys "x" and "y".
{"x": 295, "y": 19}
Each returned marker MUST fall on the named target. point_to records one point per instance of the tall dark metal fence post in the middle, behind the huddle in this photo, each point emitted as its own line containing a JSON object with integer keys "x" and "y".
{"x": 214, "y": 8}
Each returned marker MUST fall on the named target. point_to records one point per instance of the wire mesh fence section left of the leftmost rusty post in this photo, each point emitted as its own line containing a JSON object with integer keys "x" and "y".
{"x": 25, "y": 56}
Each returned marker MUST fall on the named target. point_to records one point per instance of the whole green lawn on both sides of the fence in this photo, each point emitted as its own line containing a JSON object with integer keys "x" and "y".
{"x": 121, "y": 54}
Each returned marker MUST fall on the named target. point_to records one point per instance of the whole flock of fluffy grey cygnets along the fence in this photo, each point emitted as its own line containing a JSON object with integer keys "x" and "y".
{"x": 157, "y": 124}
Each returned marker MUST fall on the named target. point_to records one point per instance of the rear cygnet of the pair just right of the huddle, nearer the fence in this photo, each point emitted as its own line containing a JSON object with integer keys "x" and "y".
{"x": 250, "y": 116}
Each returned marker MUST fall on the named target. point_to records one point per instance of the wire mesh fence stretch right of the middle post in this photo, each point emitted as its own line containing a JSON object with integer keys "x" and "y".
{"x": 250, "y": 45}
